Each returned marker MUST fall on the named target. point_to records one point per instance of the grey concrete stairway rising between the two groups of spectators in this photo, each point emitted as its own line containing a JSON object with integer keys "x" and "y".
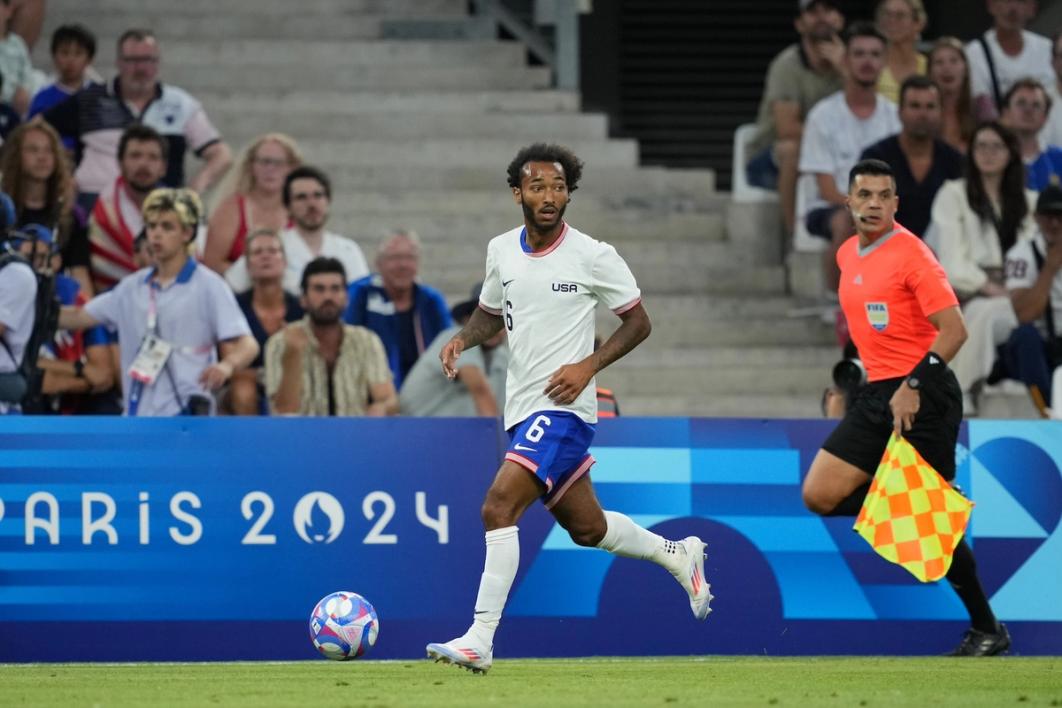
{"x": 418, "y": 133}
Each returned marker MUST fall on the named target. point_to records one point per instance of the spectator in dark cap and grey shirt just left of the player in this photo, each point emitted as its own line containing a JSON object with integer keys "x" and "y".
{"x": 479, "y": 389}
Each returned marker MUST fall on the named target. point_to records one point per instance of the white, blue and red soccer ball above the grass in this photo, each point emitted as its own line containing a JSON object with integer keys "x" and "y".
{"x": 344, "y": 626}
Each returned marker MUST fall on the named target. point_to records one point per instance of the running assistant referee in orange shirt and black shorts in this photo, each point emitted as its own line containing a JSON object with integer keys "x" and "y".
{"x": 906, "y": 323}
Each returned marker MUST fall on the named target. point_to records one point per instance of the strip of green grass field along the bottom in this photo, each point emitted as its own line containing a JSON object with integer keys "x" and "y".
{"x": 598, "y": 682}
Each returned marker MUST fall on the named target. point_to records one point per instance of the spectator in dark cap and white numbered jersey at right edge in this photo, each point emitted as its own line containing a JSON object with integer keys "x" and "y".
{"x": 1035, "y": 283}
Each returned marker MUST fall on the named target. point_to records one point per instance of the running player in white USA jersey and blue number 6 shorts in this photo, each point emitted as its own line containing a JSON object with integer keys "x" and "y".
{"x": 543, "y": 283}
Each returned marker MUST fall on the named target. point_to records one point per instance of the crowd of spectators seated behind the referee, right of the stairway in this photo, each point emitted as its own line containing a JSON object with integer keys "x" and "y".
{"x": 974, "y": 135}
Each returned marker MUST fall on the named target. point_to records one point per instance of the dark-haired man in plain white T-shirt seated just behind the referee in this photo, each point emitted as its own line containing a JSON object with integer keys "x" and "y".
{"x": 837, "y": 131}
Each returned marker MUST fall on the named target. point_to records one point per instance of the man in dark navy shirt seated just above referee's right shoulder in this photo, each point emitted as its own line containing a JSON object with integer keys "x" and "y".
{"x": 921, "y": 162}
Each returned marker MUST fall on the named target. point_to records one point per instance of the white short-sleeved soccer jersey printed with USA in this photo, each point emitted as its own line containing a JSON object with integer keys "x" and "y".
{"x": 547, "y": 302}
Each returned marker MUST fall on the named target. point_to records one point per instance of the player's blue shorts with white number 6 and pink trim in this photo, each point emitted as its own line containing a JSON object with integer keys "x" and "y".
{"x": 555, "y": 447}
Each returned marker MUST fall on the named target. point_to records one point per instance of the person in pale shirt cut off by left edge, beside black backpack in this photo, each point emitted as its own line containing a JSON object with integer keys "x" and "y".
{"x": 19, "y": 299}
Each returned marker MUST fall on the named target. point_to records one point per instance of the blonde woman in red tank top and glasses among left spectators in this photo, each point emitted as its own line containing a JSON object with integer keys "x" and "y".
{"x": 252, "y": 199}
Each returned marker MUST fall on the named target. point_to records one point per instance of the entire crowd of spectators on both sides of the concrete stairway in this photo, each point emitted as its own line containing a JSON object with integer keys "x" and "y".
{"x": 970, "y": 130}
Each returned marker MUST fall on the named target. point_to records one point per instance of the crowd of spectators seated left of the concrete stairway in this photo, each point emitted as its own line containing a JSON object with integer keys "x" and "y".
{"x": 253, "y": 307}
